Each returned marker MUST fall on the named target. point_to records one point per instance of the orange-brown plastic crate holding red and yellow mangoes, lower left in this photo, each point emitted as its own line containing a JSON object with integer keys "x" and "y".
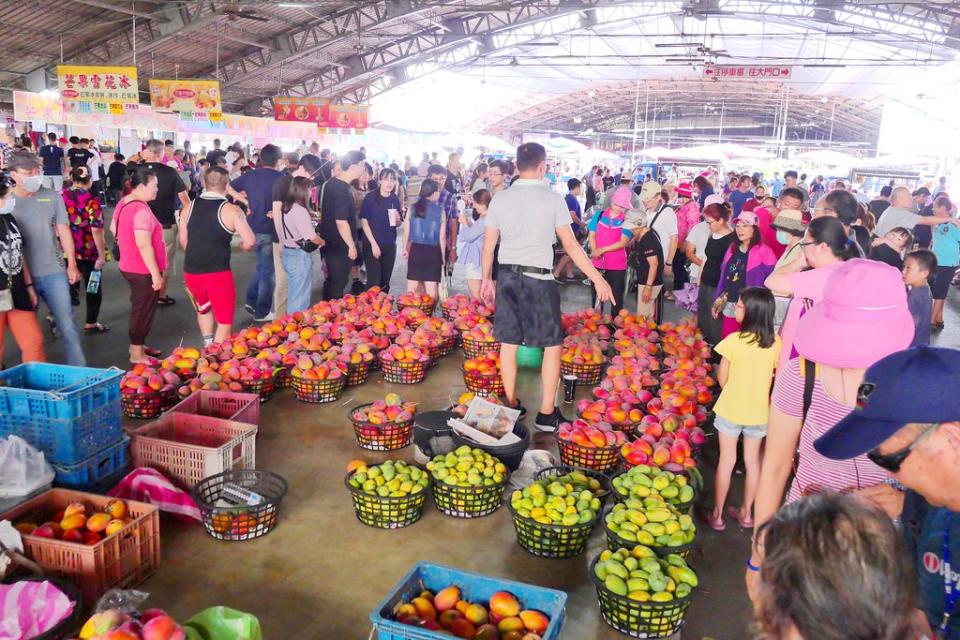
{"x": 120, "y": 561}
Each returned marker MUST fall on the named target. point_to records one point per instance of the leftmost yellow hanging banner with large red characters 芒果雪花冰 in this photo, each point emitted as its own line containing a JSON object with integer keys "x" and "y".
{"x": 103, "y": 90}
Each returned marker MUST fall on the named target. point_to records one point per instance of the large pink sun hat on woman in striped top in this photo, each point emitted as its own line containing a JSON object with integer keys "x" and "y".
{"x": 862, "y": 318}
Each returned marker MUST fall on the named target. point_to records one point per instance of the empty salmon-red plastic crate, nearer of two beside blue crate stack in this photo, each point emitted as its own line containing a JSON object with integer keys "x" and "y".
{"x": 188, "y": 448}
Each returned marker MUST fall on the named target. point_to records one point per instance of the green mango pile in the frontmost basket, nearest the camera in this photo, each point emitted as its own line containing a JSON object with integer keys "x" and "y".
{"x": 640, "y": 575}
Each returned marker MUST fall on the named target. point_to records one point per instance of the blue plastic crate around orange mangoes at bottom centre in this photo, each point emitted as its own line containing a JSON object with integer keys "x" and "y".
{"x": 474, "y": 588}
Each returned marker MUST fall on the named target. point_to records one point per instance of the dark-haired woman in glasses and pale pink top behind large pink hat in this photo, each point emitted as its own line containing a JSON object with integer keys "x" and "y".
{"x": 824, "y": 247}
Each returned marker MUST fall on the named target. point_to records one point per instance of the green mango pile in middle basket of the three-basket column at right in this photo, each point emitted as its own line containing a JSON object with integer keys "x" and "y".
{"x": 650, "y": 521}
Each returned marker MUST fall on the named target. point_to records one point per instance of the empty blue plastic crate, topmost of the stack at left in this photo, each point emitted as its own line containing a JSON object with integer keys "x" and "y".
{"x": 55, "y": 391}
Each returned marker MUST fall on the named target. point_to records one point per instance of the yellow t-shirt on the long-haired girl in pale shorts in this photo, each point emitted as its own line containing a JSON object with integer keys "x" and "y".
{"x": 745, "y": 400}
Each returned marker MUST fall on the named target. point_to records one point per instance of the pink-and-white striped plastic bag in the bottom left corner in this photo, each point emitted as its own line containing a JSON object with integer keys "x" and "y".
{"x": 31, "y": 608}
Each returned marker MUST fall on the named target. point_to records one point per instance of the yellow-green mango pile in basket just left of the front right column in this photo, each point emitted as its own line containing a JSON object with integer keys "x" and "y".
{"x": 559, "y": 501}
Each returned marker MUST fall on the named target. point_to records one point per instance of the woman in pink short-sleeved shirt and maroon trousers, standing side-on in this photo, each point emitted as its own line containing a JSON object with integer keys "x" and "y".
{"x": 143, "y": 258}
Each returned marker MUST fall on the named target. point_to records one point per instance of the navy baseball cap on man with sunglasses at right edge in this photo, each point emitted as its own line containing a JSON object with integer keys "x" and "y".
{"x": 917, "y": 385}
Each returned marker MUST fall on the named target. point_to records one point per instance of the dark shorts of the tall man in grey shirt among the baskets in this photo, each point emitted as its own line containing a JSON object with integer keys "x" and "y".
{"x": 527, "y": 311}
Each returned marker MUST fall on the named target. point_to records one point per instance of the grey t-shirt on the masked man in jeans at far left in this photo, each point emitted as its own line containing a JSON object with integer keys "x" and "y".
{"x": 37, "y": 218}
